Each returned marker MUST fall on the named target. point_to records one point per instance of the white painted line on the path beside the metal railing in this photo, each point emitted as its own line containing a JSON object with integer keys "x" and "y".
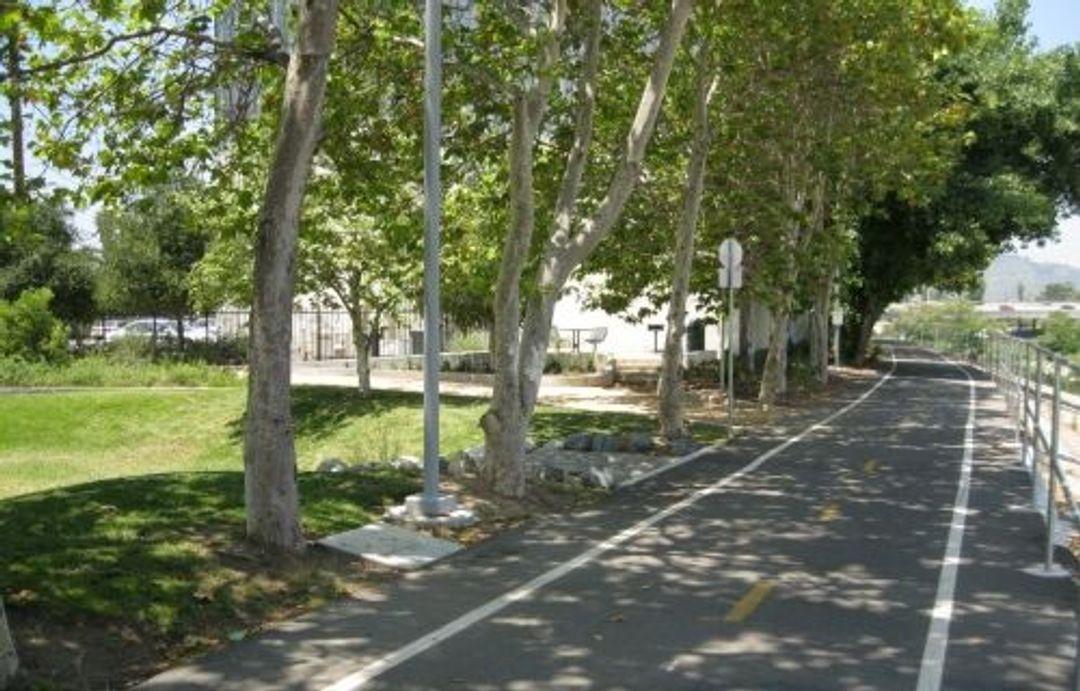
{"x": 934, "y": 656}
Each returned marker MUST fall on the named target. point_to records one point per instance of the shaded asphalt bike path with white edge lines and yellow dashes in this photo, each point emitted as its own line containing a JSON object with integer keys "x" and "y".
{"x": 884, "y": 548}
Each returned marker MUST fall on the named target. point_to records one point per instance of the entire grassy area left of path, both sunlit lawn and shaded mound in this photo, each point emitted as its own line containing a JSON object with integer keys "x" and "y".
{"x": 123, "y": 513}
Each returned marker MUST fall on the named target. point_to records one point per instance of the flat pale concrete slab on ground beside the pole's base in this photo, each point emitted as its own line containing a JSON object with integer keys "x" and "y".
{"x": 391, "y": 546}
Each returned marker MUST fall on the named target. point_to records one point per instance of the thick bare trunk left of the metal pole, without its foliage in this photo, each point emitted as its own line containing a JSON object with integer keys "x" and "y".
{"x": 271, "y": 491}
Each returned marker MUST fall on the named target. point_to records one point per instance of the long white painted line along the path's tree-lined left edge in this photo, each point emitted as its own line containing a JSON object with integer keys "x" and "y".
{"x": 382, "y": 666}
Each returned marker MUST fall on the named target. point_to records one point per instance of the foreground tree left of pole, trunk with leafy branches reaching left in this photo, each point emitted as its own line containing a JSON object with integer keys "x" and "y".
{"x": 136, "y": 93}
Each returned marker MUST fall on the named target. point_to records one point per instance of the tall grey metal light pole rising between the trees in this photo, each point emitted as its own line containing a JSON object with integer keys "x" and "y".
{"x": 433, "y": 213}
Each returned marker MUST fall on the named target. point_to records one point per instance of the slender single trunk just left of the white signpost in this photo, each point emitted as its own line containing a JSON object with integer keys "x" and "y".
{"x": 670, "y": 387}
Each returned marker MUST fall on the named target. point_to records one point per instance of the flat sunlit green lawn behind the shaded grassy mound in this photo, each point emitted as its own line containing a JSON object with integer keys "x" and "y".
{"x": 56, "y": 440}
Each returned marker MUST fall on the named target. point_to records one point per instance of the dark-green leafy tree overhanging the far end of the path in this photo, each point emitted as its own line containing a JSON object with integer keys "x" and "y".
{"x": 1017, "y": 171}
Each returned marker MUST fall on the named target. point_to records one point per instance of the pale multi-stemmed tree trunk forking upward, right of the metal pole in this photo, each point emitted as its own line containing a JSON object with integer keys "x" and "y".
{"x": 519, "y": 357}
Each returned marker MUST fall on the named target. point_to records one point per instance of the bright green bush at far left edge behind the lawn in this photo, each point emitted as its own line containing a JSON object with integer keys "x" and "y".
{"x": 30, "y": 331}
